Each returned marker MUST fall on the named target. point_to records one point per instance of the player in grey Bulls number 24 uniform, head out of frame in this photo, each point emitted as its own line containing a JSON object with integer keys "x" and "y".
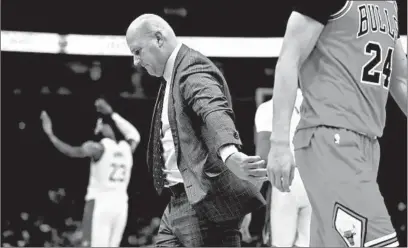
{"x": 347, "y": 59}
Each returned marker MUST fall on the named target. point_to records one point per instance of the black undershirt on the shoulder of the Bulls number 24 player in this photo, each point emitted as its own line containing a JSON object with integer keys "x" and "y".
{"x": 322, "y": 11}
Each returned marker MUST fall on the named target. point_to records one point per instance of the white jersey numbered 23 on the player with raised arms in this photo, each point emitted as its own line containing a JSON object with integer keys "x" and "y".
{"x": 111, "y": 173}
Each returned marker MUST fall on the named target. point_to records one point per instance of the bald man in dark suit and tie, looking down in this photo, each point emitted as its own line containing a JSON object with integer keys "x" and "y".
{"x": 193, "y": 150}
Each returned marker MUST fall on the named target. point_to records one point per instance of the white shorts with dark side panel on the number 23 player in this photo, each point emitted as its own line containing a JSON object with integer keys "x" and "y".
{"x": 104, "y": 221}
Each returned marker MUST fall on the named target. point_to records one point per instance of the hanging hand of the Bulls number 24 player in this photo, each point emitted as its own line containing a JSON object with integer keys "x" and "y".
{"x": 281, "y": 166}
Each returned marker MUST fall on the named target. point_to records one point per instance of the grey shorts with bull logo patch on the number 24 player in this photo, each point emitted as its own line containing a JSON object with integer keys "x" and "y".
{"x": 339, "y": 170}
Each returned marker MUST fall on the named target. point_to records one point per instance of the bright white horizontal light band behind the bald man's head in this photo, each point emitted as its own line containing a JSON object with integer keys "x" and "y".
{"x": 115, "y": 45}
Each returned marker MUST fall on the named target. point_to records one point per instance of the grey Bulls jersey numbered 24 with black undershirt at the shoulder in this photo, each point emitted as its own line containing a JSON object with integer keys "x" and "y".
{"x": 346, "y": 79}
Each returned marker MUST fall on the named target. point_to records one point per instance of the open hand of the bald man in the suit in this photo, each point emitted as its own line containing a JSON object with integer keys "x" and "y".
{"x": 250, "y": 168}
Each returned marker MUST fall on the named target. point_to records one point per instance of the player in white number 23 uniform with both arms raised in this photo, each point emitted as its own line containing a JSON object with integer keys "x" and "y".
{"x": 106, "y": 206}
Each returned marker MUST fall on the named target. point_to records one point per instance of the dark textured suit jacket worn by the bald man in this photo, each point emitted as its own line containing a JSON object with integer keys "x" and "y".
{"x": 202, "y": 121}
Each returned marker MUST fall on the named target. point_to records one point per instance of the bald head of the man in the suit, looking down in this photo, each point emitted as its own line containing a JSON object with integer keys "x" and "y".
{"x": 151, "y": 41}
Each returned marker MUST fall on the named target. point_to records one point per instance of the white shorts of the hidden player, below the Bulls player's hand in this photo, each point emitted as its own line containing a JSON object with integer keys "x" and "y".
{"x": 290, "y": 216}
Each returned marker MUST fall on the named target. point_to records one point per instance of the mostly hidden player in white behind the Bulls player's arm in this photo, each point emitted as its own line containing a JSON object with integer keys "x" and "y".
{"x": 290, "y": 212}
